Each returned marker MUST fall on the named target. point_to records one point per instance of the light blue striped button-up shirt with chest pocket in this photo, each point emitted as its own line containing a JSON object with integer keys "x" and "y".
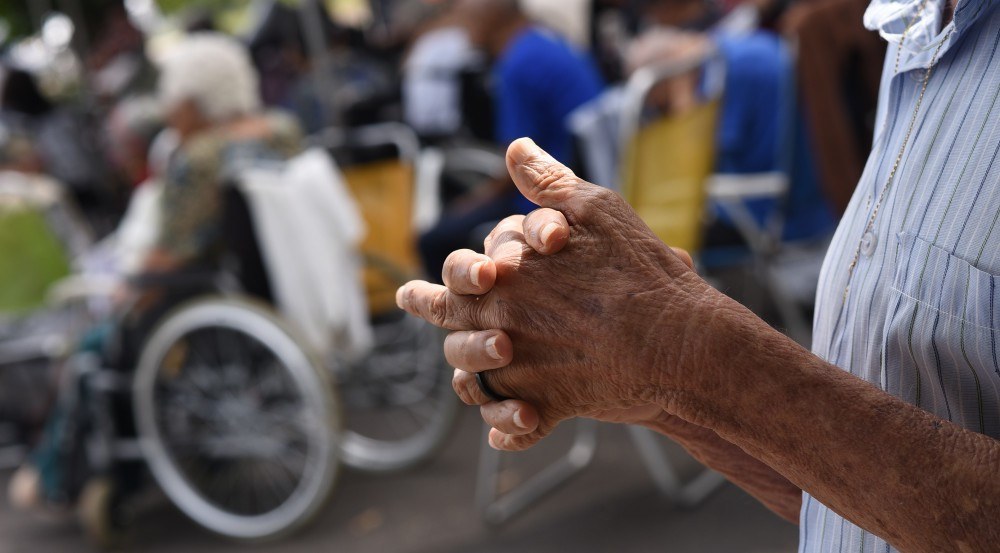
{"x": 922, "y": 315}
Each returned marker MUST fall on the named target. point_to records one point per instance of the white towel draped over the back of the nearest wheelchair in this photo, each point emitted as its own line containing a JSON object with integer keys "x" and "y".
{"x": 309, "y": 229}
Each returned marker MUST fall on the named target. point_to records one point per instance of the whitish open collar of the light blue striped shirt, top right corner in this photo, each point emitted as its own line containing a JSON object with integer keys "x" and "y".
{"x": 892, "y": 18}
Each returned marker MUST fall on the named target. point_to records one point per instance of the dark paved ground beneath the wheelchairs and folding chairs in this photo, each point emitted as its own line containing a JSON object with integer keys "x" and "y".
{"x": 610, "y": 507}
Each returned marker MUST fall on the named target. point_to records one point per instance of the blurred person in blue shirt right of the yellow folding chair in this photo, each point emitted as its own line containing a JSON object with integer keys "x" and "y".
{"x": 754, "y": 124}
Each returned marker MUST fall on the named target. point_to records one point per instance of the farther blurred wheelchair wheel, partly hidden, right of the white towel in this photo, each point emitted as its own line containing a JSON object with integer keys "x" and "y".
{"x": 399, "y": 403}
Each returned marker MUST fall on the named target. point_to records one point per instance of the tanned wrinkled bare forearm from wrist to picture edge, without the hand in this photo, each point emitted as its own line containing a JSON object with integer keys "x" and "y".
{"x": 921, "y": 482}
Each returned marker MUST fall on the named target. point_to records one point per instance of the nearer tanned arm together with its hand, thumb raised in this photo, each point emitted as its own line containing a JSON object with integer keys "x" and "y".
{"x": 617, "y": 320}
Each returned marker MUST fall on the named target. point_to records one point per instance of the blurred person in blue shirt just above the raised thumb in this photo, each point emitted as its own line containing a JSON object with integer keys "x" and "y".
{"x": 539, "y": 79}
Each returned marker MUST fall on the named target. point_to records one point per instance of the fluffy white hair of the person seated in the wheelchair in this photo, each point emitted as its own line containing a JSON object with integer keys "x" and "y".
{"x": 212, "y": 70}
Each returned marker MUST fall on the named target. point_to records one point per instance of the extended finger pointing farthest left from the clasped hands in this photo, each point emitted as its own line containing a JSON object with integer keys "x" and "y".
{"x": 439, "y": 306}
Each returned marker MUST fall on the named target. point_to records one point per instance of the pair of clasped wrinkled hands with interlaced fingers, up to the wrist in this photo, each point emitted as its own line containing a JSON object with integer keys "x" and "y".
{"x": 591, "y": 326}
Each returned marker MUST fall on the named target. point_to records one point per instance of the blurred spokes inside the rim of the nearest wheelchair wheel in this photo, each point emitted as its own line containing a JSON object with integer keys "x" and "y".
{"x": 235, "y": 422}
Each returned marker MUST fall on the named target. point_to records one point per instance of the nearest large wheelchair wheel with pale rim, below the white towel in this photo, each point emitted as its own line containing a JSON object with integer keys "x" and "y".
{"x": 236, "y": 420}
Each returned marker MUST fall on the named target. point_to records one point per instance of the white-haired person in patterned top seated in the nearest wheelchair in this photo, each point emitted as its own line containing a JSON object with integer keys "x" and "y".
{"x": 209, "y": 91}
